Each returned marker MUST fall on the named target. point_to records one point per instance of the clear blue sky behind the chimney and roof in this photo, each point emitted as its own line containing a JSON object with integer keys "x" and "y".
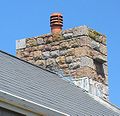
{"x": 27, "y": 18}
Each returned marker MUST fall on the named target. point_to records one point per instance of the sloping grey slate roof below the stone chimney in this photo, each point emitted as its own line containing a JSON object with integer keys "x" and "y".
{"x": 46, "y": 88}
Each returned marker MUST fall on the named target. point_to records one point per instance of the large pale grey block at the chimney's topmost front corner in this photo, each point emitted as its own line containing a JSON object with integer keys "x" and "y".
{"x": 82, "y": 30}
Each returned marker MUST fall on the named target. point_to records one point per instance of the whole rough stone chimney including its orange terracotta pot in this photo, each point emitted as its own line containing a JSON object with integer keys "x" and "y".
{"x": 78, "y": 55}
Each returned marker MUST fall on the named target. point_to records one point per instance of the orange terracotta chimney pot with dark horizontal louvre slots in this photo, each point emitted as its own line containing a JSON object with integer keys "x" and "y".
{"x": 56, "y": 22}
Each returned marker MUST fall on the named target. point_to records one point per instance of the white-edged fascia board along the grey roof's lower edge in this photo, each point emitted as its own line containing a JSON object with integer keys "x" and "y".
{"x": 29, "y": 105}
